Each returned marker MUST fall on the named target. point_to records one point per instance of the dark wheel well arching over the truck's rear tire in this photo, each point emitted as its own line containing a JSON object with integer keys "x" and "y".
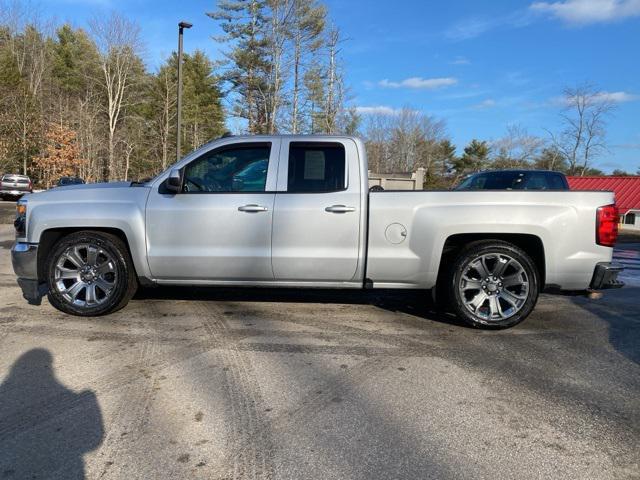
{"x": 529, "y": 243}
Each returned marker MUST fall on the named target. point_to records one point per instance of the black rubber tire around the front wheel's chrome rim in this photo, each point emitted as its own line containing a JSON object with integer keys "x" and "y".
{"x": 124, "y": 276}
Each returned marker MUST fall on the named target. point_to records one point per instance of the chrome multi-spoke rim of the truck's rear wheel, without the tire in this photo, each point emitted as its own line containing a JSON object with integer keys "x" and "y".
{"x": 494, "y": 286}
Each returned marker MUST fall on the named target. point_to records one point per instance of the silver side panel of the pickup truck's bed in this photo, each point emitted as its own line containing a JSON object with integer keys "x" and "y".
{"x": 408, "y": 231}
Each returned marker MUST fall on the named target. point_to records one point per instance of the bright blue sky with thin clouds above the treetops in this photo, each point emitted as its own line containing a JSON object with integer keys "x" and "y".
{"x": 480, "y": 65}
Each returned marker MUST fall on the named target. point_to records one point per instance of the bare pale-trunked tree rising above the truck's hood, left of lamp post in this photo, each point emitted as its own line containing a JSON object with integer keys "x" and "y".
{"x": 119, "y": 44}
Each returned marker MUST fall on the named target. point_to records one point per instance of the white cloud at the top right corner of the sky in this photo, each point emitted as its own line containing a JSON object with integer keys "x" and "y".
{"x": 584, "y": 12}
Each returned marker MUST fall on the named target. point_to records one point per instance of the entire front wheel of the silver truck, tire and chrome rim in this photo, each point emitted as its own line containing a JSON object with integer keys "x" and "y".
{"x": 90, "y": 273}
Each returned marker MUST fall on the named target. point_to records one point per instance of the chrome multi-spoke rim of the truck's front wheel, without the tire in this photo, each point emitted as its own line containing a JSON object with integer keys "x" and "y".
{"x": 85, "y": 275}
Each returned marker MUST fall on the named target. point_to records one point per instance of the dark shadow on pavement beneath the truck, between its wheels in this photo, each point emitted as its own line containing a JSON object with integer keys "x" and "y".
{"x": 417, "y": 303}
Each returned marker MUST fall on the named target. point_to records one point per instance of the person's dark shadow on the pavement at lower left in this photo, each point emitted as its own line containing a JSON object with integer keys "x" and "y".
{"x": 45, "y": 428}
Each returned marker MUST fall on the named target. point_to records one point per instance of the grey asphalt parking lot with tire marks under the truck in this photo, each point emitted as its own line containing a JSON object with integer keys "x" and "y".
{"x": 263, "y": 384}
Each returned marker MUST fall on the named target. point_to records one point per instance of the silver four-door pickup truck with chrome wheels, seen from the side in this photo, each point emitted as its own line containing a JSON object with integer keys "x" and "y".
{"x": 296, "y": 211}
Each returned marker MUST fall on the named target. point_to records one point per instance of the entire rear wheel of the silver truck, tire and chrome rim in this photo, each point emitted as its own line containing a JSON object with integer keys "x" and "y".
{"x": 494, "y": 311}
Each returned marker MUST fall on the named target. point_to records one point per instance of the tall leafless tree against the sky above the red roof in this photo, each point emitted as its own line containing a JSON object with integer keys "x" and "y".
{"x": 584, "y": 120}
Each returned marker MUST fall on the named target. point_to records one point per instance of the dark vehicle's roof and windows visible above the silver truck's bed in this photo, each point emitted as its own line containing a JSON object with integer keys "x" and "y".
{"x": 515, "y": 180}
